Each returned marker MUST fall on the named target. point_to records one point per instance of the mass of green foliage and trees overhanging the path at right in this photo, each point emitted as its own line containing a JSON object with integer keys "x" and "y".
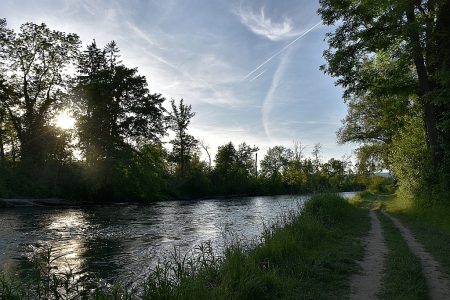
{"x": 392, "y": 61}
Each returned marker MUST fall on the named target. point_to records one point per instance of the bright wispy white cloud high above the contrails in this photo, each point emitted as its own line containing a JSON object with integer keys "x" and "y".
{"x": 259, "y": 24}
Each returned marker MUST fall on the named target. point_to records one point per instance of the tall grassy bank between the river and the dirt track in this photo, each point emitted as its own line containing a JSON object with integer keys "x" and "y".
{"x": 311, "y": 256}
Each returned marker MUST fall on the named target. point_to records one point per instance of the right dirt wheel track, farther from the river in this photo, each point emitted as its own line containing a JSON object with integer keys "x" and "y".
{"x": 438, "y": 283}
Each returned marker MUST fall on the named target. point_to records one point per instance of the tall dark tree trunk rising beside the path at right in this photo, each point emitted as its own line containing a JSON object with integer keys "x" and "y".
{"x": 424, "y": 85}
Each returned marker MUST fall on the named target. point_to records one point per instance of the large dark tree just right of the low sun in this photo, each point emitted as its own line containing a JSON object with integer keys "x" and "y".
{"x": 116, "y": 111}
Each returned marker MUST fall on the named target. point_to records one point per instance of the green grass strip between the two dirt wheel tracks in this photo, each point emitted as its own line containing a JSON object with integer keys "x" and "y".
{"x": 403, "y": 277}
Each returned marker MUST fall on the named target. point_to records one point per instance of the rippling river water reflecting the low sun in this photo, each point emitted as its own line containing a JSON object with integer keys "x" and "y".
{"x": 119, "y": 242}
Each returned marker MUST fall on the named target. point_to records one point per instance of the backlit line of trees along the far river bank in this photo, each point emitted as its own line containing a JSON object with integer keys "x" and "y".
{"x": 115, "y": 151}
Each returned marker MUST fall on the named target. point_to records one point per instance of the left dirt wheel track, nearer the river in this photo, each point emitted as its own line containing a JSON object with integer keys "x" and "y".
{"x": 368, "y": 283}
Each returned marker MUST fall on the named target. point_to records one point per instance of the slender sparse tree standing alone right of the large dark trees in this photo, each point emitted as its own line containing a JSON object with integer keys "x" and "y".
{"x": 184, "y": 144}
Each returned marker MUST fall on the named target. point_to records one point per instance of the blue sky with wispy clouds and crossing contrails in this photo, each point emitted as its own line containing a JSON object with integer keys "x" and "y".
{"x": 250, "y": 69}
